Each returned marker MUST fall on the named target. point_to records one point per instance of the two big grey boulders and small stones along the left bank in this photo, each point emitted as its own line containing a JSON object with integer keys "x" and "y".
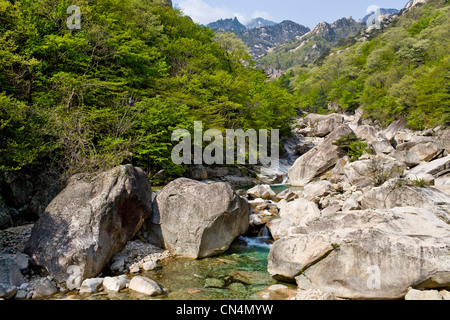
{"x": 111, "y": 221}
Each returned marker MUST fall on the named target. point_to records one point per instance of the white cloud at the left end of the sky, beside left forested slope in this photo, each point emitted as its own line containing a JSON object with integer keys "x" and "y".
{"x": 203, "y": 13}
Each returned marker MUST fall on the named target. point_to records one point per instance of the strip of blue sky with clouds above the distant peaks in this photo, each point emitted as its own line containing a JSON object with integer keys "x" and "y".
{"x": 306, "y": 12}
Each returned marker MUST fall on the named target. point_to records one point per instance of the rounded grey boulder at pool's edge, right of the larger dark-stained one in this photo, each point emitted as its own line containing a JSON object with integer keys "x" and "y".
{"x": 196, "y": 220}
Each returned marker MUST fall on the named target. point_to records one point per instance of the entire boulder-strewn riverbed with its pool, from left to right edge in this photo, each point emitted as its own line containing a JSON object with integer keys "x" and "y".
{"x": 371, "y": 227}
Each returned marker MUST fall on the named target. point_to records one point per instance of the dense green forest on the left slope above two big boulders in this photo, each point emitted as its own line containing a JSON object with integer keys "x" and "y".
{"x": 113, "y": 91}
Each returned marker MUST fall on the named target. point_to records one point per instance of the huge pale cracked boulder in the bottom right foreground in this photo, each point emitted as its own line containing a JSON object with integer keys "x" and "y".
{"x": 370, "y": 254}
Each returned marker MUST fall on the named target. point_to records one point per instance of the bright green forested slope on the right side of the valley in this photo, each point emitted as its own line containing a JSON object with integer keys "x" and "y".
{"x": 401, "y": 73}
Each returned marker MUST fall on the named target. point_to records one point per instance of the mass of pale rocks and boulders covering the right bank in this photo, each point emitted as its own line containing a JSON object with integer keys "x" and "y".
{"x": 371, "y": 228}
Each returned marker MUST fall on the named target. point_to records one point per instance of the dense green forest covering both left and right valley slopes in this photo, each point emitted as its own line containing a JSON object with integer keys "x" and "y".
{"x": 113, "y": 91}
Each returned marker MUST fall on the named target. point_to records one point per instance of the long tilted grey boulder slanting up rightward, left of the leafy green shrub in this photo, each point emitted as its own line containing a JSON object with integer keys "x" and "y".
{"x": 318, "y": 160}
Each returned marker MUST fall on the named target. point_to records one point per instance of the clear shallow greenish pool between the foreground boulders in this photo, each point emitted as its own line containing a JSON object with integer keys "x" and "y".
{"x": 239, "y": 273}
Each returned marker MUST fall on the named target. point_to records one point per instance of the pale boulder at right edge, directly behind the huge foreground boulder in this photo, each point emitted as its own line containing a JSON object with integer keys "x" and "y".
{"x": 395, "y": 193}
